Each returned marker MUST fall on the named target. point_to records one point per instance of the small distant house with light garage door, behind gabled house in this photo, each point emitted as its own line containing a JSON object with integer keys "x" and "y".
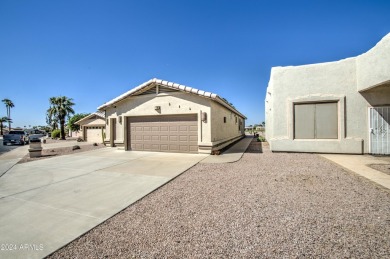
{"x": 92, "y": 127}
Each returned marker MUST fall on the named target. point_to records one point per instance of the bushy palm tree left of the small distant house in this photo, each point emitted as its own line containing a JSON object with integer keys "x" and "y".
{"x": 60, "y": 108}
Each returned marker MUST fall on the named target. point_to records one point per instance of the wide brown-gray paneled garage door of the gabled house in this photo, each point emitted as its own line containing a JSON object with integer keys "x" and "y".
{"x": 173, "y": 133}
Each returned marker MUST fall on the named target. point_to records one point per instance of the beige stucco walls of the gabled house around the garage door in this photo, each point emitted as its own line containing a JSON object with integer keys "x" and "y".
{"x": 210, "y": 133}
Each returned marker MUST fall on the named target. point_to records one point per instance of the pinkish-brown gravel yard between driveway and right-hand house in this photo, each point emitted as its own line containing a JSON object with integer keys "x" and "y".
{"x": 265, "y": 205}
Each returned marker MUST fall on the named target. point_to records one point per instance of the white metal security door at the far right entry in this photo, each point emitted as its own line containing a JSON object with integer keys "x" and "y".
{"x": 380, "y": 130}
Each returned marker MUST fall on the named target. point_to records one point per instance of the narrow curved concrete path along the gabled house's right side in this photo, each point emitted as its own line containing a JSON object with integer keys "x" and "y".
{"x": 233, "y": 154}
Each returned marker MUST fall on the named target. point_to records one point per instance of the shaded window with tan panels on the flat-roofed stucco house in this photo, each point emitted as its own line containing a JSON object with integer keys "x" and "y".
{"x": 316, "y": 121}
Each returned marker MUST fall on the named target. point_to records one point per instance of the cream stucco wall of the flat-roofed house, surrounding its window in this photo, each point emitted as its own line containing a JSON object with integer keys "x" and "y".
{"x": 338, "y": 81}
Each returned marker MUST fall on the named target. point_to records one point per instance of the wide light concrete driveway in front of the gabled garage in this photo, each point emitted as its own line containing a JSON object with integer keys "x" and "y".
{"x": 46, "y": 204}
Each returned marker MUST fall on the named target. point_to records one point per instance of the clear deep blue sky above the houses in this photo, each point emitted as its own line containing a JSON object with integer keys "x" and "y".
{"x": 93, "y": 51}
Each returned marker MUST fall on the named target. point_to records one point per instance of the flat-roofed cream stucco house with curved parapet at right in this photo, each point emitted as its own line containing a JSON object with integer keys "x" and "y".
{"x": 334, "y": 107}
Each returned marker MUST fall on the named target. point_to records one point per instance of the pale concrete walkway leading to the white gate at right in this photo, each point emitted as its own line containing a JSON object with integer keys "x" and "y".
{"x": 359, "y": 165}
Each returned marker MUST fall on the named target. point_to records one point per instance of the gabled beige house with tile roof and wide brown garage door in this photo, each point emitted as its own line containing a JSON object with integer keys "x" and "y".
{"x": 164, "y": 116}
